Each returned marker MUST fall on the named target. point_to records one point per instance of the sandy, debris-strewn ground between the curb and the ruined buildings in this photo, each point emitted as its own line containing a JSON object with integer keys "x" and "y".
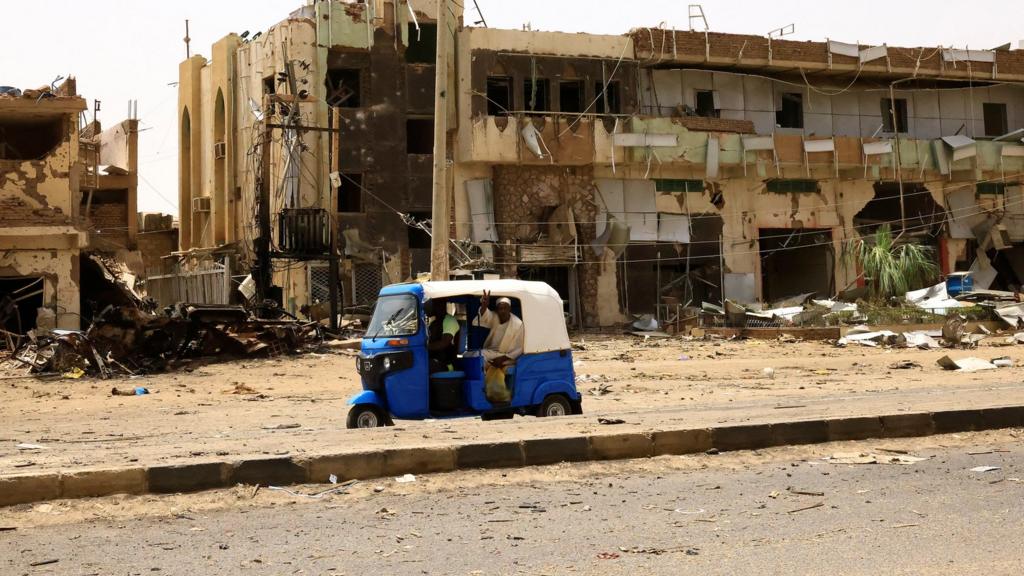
{"x": 297, "y": 405}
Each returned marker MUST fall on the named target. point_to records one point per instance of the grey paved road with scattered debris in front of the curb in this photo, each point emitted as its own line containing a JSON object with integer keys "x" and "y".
{"x": 733, "y": 514}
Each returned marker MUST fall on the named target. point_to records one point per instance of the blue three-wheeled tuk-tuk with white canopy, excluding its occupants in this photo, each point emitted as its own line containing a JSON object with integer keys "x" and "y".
{"x": 394, "y": 363}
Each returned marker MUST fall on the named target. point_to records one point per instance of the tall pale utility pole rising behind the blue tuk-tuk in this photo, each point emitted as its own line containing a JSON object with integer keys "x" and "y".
{"x": 440, "y": 218}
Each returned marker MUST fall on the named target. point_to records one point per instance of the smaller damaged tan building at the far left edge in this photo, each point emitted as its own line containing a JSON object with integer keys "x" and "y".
{"x": 68, "y": 224}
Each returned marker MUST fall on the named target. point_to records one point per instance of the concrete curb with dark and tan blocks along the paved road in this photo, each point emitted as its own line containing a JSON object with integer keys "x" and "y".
{"x": 191, "y": 477}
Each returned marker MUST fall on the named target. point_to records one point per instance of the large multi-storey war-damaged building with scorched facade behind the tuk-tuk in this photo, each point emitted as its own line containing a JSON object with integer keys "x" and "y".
{"x": 632, "y": 173}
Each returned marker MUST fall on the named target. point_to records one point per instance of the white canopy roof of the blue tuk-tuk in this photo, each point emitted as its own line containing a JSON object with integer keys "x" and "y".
{"x": 543, "y": 317}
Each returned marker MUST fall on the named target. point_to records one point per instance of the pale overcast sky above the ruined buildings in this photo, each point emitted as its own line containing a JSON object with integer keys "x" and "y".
{"x": 121, "y": 51}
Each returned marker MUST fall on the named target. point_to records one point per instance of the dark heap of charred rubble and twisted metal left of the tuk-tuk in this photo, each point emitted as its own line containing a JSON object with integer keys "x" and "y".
{"x": 130, "y": 341}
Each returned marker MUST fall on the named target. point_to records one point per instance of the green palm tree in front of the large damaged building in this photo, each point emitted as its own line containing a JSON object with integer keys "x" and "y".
{"x": 893, "y": 270}
